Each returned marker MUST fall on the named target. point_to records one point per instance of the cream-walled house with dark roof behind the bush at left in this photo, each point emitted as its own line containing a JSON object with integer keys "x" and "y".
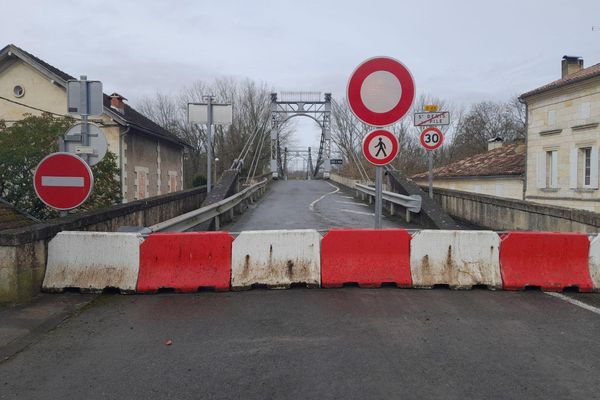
{"x": 150, "y": 158}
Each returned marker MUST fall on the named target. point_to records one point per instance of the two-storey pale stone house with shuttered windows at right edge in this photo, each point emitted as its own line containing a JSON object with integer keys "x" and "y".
{"x": 562, "y": 138}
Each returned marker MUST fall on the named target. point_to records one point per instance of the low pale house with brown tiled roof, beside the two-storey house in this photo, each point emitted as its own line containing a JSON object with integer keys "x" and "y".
{"x": 497, "y": 172}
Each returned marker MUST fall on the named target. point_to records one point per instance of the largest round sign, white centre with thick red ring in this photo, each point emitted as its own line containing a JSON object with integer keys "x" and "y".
{"x": 380, "y": 91}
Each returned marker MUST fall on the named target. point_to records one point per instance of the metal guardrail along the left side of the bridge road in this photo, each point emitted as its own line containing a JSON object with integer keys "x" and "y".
{"x": 188, "y": 220}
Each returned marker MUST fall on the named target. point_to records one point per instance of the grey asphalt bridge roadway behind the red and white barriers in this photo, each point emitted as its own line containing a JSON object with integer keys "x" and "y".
{"x": 315, "y": 204}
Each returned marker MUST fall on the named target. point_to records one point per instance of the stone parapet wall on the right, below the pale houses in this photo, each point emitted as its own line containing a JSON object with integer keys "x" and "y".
{"x": 509, "y": 214}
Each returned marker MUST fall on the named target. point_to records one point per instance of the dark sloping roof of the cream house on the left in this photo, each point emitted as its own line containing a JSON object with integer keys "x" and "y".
{"x": 130, "y": 115}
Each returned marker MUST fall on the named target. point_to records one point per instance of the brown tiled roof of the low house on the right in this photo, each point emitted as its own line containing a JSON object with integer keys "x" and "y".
{"x": 506, "y": 160}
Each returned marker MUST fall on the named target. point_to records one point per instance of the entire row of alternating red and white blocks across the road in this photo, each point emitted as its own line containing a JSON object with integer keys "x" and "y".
{"x": 185, "y": 262}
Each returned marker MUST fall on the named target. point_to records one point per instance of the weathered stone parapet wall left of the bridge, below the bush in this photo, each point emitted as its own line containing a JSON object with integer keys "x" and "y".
{"x": 23, "y": 251}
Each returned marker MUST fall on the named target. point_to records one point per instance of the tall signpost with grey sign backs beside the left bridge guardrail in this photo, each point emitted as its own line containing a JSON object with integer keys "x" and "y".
{"x": 209, "y": 113}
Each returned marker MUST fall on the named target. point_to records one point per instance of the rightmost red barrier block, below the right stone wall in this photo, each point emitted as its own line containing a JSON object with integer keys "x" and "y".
{"x": 552, "y": 261}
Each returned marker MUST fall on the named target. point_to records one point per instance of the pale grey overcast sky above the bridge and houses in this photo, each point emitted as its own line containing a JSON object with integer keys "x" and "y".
{"x": 464, "y": 51}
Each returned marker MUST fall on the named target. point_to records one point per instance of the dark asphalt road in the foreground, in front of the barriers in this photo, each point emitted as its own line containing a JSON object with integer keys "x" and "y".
{"x": 316, "y": 344}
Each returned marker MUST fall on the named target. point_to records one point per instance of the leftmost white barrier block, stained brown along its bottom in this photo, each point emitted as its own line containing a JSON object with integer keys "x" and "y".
{"x": 93, "y": 261}
